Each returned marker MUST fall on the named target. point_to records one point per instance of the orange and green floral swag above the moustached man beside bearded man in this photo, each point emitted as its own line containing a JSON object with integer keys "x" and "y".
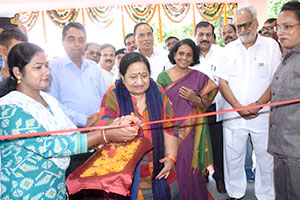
{"x": 210, "y": 11}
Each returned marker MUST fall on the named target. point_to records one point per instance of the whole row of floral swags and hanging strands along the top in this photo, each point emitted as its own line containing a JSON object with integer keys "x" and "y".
{"x": 103, "y": 16}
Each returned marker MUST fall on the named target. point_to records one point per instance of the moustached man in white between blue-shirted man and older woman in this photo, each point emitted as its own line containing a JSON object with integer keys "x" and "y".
{"x": 107, "y": 61}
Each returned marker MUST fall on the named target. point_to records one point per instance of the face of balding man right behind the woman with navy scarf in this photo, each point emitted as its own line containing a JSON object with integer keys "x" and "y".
{"x": 144, "y": 37}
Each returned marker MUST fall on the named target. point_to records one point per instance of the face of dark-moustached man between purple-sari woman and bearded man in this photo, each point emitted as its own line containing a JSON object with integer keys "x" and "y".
{"x": 204, "y": 38}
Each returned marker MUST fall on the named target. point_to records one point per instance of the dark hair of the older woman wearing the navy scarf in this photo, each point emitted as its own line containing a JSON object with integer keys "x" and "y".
{"x": 131, "y": 58}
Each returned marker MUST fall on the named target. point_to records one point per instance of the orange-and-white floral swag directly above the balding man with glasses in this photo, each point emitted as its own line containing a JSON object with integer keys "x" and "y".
{"x": 141, "y": 13}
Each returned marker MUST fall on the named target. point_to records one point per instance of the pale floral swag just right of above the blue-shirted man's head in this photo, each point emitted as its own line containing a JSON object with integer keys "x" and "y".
{"x": 101, "y": 16}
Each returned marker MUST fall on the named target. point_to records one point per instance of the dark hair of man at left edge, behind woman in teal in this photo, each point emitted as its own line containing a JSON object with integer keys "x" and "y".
{"x": 12, "y": 33}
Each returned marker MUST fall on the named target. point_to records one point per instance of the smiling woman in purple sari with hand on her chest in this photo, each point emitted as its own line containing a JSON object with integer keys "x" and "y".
{"x": 191, "y": 93}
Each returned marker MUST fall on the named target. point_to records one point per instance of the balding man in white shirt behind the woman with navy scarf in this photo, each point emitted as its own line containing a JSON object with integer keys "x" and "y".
{"x": 158, "y": 58}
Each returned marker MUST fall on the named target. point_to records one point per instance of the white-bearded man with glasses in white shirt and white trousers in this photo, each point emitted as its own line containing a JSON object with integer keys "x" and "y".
{"x": 248, "y": 66}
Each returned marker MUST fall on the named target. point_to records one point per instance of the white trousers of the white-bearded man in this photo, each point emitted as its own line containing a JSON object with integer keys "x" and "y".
{"x": 235, "y": 143}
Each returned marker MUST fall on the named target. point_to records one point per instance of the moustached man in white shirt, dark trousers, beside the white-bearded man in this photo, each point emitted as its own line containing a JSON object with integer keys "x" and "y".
{"x": 209, "y": 61}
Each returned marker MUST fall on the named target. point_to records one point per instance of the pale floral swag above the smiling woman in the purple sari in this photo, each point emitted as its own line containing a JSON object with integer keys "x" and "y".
{"x": 175, "y": 10}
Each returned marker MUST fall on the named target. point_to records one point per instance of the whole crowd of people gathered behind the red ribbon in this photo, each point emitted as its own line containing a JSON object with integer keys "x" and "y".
{"x": 97, "y": 85}
